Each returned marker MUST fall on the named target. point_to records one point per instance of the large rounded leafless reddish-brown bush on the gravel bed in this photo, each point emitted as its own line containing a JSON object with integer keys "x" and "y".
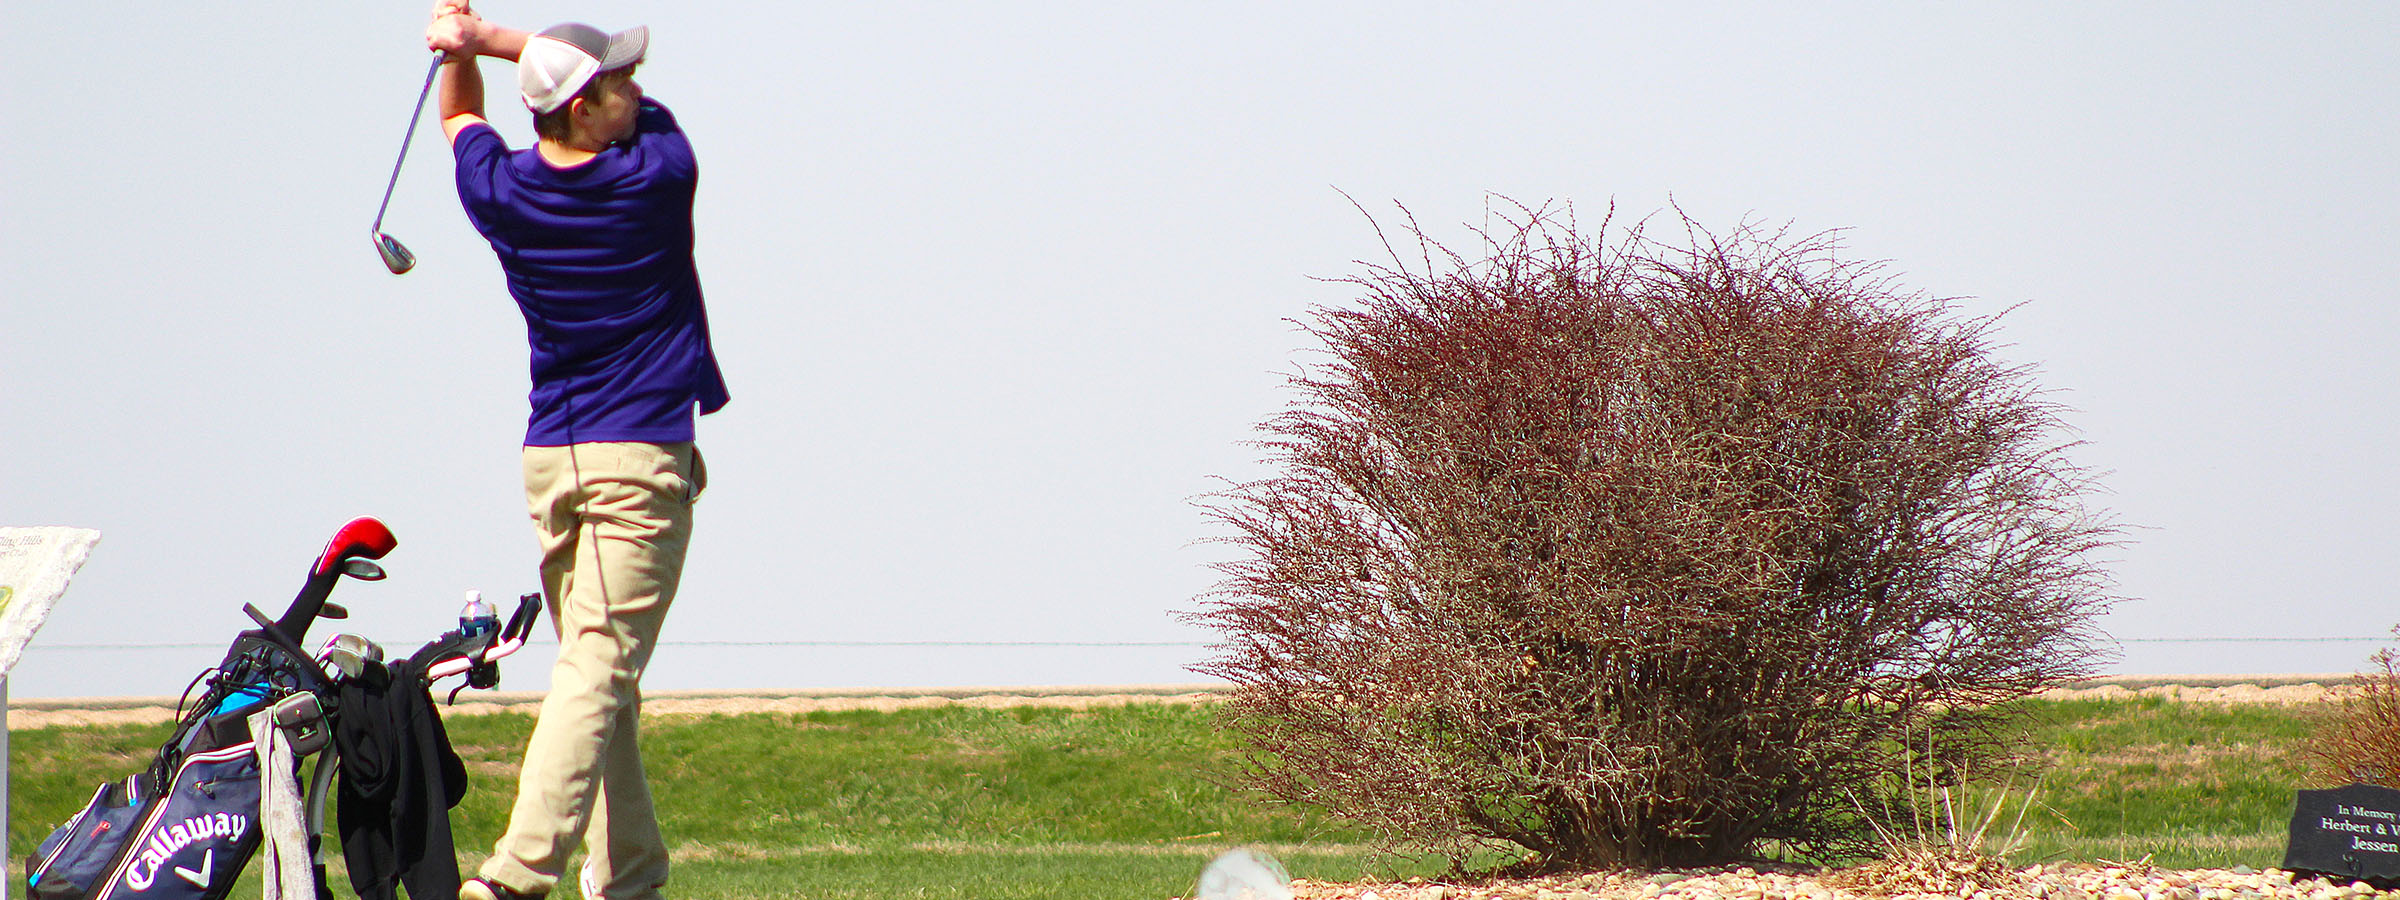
{"x": 1638, "y": 553}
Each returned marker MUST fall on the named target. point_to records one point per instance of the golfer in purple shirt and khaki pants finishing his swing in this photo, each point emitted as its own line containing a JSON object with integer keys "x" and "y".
{"x": 594, "y": 234}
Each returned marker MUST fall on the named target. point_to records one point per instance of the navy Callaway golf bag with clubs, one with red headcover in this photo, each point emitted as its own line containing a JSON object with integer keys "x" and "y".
{"x": 186, "y": 827}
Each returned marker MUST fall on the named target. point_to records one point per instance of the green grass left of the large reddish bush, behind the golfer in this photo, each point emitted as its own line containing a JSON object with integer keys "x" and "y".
{"x": 932, "y": 803}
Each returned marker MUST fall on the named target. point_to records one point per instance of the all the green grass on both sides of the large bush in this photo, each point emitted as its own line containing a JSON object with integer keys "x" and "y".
{"x": 1122, "y": 803}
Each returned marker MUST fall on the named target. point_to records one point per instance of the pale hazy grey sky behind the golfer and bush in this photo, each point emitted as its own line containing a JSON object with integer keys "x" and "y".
{"x": 1000, "y": 289}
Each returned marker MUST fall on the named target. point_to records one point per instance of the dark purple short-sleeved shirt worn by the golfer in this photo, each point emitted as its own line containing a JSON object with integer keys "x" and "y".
{"x": 599, "y": 260}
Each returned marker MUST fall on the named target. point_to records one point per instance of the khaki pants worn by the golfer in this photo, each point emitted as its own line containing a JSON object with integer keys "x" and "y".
{"x": 613, "y": 522}
